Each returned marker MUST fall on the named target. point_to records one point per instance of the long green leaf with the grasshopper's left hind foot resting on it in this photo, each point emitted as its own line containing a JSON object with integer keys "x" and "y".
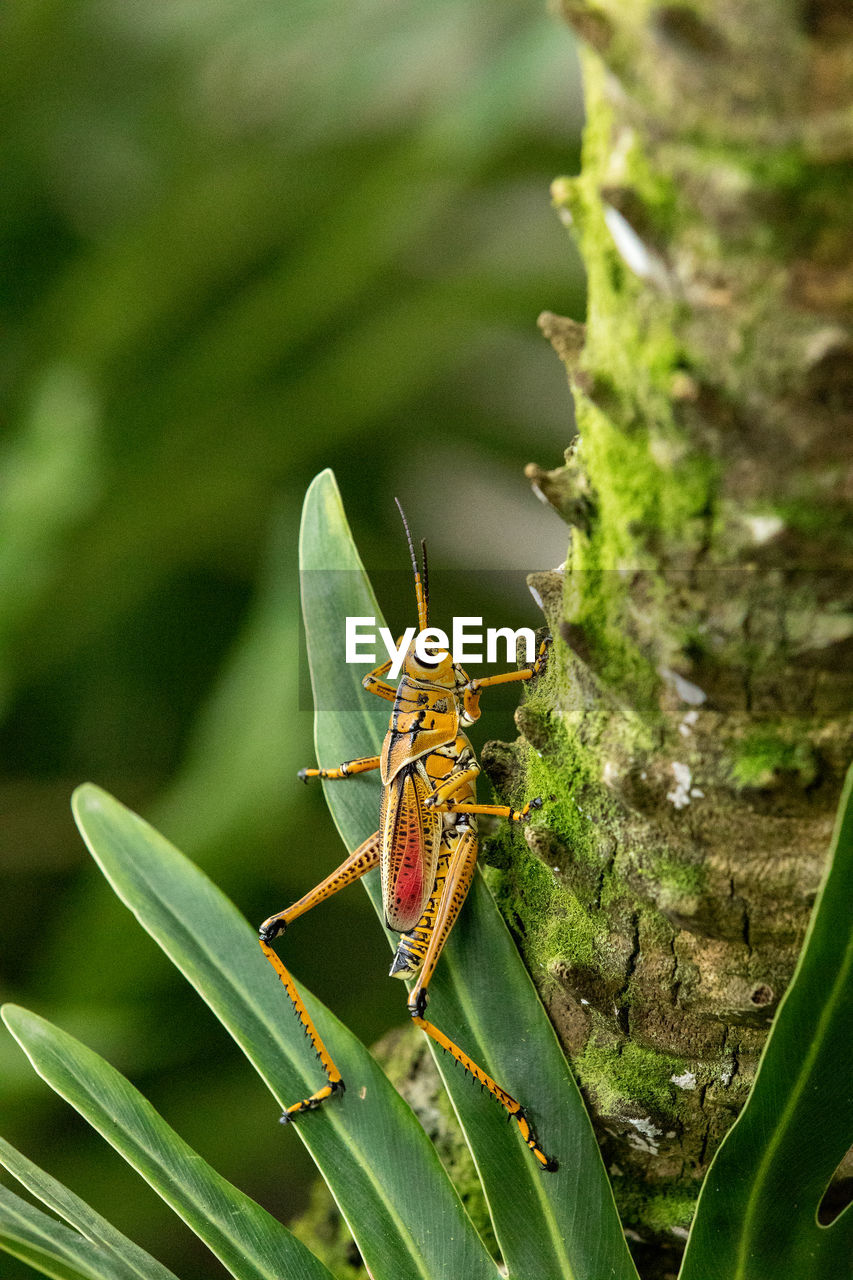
{"x": 382, "y": 1169}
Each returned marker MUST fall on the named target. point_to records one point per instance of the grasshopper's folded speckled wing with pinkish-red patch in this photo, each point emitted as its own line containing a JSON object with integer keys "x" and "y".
{"x": 410, "y": 838}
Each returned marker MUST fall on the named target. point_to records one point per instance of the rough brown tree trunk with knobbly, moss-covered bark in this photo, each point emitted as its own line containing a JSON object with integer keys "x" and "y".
{"x": 695, "y": 725}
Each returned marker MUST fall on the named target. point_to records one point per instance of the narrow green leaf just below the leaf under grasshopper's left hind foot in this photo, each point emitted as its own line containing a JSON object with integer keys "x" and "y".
{"x": 248, "y": 1241}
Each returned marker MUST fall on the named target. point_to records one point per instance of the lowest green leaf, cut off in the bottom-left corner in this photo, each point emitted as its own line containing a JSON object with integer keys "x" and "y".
{"x": 51, "y": 1247}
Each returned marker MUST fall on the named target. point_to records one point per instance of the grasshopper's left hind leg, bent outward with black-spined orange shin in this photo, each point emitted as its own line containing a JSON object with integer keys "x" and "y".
{"x": 350, "y": 871}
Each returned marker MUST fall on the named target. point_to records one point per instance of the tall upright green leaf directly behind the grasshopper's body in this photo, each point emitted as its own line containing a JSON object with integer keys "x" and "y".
{"x": 559, "y": 1226}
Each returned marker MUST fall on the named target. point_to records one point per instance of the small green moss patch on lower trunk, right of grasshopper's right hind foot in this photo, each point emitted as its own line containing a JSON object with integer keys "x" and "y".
{"x": 626, "y": 1077}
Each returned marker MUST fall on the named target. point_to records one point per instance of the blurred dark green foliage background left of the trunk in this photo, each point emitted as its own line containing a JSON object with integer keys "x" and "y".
{"x": 243, "y": 243}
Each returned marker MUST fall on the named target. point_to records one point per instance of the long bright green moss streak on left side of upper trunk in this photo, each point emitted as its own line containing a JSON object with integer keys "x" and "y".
{"x": 655, "y": 496}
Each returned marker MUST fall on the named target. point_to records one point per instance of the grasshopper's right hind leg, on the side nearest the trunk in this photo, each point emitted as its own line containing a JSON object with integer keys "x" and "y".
{"x": 454, "y": 893}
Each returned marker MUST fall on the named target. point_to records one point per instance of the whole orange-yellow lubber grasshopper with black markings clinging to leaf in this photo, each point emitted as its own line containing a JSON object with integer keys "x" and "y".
{"x": 427, "y": 843}
